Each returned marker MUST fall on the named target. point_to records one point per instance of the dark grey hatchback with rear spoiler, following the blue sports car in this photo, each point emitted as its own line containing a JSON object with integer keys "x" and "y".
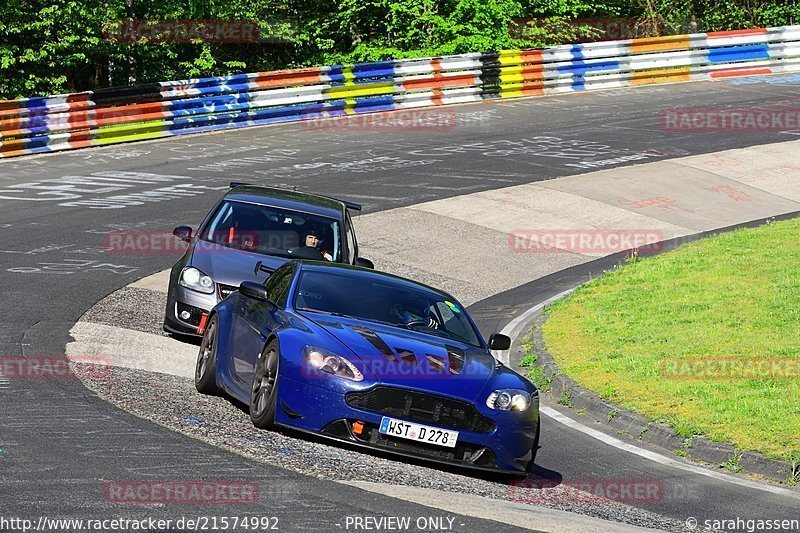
{"x": 248, "y": 234}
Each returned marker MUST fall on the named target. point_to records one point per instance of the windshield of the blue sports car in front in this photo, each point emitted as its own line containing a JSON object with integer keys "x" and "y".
{"x": 378, "y": 298}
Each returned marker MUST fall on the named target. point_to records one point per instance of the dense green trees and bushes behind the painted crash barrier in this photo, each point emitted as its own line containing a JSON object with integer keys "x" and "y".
{"x": 52, "y": 46}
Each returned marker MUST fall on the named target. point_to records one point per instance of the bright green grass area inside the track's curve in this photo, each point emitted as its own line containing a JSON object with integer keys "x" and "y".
{"x": 732, "y": 296}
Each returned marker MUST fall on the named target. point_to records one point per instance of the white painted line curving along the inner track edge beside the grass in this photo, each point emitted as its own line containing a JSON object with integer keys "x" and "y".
{"x": 514, "y": 328}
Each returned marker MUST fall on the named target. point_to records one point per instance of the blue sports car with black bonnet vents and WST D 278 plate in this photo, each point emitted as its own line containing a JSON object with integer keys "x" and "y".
{"x": 371, "y": 359}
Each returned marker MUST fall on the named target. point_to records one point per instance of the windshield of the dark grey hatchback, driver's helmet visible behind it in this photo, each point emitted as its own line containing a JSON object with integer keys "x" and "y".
{"x": 273, "y": 231}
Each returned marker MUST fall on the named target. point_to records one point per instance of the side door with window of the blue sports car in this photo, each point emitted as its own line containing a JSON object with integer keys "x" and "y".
{"x": 254, "y": 320}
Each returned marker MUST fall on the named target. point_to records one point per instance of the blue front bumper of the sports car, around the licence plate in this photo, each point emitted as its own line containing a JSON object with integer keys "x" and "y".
{"x": 506, "y": 448}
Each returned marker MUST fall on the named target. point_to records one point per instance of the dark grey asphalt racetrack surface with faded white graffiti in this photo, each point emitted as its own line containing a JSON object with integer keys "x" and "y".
{"x": 61, "y": 443}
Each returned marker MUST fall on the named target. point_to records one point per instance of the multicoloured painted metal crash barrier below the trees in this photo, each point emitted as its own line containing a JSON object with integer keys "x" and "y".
{"x": 115, "y": 115}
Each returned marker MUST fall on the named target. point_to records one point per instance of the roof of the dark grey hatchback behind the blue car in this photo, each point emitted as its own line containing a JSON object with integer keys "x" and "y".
{"x": 297, "y": 201}
